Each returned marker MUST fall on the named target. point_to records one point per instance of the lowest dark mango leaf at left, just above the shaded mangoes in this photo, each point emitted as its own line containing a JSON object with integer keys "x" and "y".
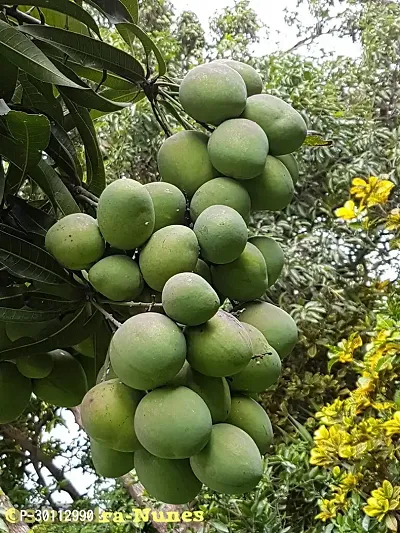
{"x": 72, "y": 330}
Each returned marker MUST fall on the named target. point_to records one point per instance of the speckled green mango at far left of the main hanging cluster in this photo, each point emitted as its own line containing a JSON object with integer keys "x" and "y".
{"x": 75, "y": 241}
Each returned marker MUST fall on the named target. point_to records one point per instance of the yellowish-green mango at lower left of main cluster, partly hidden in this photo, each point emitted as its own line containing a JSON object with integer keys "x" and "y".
{"x": 107, "y": 413}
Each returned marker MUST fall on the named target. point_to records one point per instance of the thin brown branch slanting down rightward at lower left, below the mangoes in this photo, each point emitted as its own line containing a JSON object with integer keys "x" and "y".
{"x": 20, "y": 438}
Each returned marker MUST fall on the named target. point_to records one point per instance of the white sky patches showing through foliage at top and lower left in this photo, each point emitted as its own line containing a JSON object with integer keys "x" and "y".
{"x": 281, "y": 37}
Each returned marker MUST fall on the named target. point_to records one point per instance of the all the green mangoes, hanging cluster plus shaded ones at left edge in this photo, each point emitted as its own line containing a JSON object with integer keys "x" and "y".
{"x": 175, "y": 399}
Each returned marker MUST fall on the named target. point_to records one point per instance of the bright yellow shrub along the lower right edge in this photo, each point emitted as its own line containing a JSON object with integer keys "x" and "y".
{"x": 359, "y": 433}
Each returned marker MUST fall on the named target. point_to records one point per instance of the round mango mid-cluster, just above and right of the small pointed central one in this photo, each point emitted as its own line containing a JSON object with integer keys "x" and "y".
{"x": 221, "y": 233}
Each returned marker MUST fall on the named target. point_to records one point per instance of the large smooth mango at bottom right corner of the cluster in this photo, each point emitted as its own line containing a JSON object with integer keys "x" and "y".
{"x": 230, "y": 463}
